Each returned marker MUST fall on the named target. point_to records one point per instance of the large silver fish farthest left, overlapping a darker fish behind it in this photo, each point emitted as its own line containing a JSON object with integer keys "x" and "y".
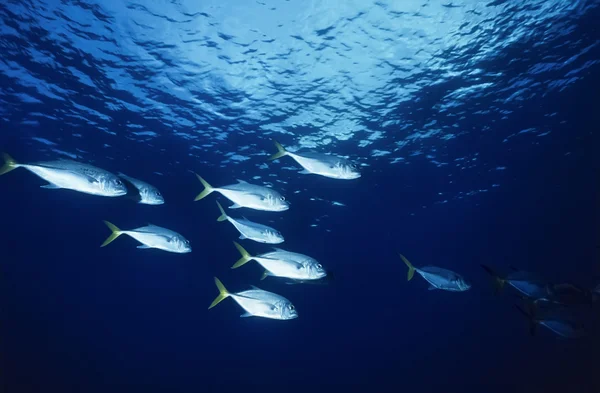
{"x": 71, "y": 175}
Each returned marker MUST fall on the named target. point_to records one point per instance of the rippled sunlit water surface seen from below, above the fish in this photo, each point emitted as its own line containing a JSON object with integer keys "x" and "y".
{"x": 382, "y": 82}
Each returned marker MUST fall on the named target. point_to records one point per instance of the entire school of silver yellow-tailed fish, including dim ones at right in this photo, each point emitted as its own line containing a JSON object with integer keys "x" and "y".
{"x": 544, "y": 302}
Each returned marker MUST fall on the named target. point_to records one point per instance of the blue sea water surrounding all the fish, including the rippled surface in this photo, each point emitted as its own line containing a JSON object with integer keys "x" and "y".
{"x": 474, "y": 125}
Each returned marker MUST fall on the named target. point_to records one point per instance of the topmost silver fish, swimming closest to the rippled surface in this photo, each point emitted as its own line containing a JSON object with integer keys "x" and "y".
{"x": 326, "y": 165}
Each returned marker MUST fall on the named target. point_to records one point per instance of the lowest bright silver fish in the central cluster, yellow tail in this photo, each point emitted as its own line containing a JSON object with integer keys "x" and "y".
{"x": 258, "y": 303}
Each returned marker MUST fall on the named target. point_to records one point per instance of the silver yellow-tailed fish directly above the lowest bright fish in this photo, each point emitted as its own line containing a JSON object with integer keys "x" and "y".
{"x": 281, "y": 263}
